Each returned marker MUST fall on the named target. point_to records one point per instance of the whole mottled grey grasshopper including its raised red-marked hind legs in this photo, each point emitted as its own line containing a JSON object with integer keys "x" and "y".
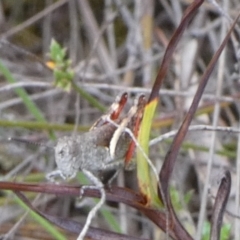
{"x": 106, "y": 146}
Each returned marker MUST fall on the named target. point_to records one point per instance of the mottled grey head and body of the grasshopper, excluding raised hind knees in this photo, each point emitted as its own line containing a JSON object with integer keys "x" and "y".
{"x": 89, "y": 151}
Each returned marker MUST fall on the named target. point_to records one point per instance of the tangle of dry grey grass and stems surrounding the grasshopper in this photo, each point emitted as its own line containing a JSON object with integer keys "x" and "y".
{"x": 116, "y": 46}
